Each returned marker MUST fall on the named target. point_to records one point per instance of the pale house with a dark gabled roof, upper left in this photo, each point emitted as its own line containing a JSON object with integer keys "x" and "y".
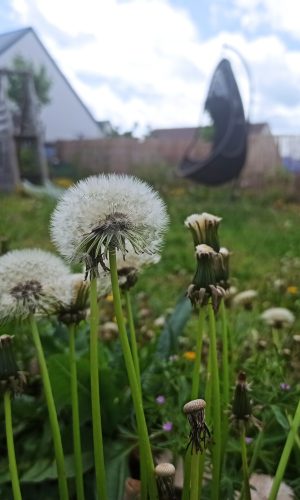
{"x": 66, "y": 117}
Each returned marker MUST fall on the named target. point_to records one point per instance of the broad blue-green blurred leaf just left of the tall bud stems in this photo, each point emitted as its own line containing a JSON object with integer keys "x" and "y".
{"x": 168, "y": 341}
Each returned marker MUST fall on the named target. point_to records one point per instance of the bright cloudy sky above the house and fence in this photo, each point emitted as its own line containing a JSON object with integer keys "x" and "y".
{"x": 147, "y": 63}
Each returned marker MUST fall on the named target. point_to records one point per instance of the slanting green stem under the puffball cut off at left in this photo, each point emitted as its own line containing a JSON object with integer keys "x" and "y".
{"x": 58, "y": 449}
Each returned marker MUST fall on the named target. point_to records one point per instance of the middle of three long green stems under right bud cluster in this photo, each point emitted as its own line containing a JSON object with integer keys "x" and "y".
{"x": 216, "y": 407}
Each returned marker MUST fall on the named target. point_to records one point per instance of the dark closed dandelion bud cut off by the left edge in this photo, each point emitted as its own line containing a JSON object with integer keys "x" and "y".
{"x": 11, "y": 378}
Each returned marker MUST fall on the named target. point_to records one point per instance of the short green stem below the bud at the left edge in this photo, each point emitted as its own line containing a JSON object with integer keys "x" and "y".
{"x": 11, "y": 448}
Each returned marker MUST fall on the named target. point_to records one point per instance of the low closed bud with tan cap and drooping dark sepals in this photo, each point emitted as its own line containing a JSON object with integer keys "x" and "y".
{"x": 199, "y": 433}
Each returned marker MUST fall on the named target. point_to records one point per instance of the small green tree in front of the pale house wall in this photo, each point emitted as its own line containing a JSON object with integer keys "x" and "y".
{"x": 16, "y": 88}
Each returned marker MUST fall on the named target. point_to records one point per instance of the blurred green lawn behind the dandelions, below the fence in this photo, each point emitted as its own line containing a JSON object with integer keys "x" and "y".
{"x": 260, "y": 230}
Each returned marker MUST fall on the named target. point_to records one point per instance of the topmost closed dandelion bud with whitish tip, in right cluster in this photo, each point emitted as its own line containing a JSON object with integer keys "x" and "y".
{"x": 204, "y": 229}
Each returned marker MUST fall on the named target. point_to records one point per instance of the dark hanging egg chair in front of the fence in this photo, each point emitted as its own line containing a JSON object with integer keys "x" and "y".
{"x": 229, "y": 149}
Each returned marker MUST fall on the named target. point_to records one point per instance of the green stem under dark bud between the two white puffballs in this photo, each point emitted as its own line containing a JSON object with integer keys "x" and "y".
{"x": 75, "y": 415}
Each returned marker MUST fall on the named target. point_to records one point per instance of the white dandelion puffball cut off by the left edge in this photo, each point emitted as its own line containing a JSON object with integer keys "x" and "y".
{"x": 31, "y": 281}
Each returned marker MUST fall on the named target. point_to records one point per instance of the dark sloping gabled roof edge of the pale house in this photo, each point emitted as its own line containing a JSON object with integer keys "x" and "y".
{"x": 9, "y": 39}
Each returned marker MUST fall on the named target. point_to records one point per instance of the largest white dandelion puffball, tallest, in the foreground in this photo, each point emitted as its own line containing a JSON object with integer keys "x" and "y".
{"x": 108, "y": 211}
